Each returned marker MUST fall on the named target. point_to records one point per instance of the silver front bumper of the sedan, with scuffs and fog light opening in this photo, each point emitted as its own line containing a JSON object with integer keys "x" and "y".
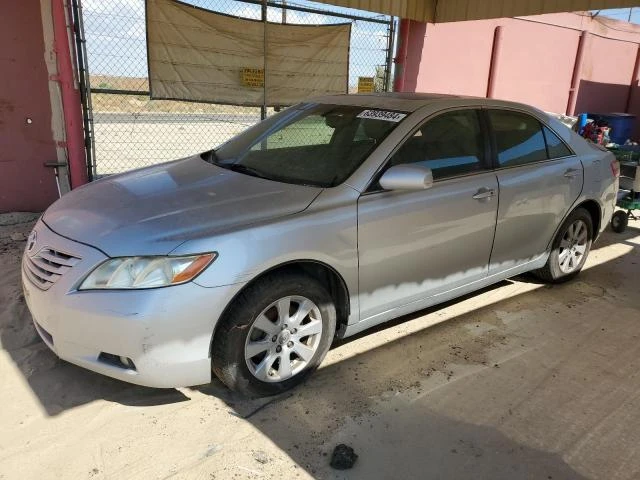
{"x": 165, "y": 332}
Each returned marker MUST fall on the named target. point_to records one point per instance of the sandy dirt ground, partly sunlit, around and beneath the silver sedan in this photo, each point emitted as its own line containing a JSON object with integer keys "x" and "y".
{"x": 523, "y": 381}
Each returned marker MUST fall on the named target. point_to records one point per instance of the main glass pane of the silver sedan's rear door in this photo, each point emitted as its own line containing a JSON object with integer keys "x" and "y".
{"x": 519, "y": 138}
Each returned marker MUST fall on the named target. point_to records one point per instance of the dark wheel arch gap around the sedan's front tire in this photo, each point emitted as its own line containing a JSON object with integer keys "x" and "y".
{"x": 324, "y": 273}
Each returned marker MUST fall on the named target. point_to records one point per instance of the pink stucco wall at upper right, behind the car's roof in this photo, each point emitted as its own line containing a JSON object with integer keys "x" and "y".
{"x": 535, "y": 61}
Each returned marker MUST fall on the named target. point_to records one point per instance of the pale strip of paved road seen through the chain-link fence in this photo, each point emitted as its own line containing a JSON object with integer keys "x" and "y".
{"x": 122, "y": 117}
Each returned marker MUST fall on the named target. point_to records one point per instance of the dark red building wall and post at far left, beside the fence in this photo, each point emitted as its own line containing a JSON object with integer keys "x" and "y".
{"x": 40, "y": 108}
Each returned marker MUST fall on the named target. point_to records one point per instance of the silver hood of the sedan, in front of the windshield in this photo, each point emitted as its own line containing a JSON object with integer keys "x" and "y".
{"x": 153, "y": 210}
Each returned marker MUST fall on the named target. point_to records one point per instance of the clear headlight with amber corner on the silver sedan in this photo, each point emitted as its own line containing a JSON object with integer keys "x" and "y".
{"x": 146, "y": 272}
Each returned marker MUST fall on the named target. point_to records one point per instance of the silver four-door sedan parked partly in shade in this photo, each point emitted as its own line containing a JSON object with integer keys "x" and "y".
{"x": 326, "y": 219}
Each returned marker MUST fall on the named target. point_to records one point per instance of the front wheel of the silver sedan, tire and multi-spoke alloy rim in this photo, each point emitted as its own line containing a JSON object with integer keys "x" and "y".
{"x": 255, "y": 324}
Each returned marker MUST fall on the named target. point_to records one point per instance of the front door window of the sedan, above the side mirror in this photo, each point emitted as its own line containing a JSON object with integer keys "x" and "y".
{"x": 450, "y": 144}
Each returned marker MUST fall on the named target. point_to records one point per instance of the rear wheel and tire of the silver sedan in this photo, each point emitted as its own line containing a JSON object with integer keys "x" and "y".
{"x": 568, "y": 255}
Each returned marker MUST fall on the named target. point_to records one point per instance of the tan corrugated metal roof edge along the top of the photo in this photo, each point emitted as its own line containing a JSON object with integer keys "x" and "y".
{"x": 458, "y": 10}
